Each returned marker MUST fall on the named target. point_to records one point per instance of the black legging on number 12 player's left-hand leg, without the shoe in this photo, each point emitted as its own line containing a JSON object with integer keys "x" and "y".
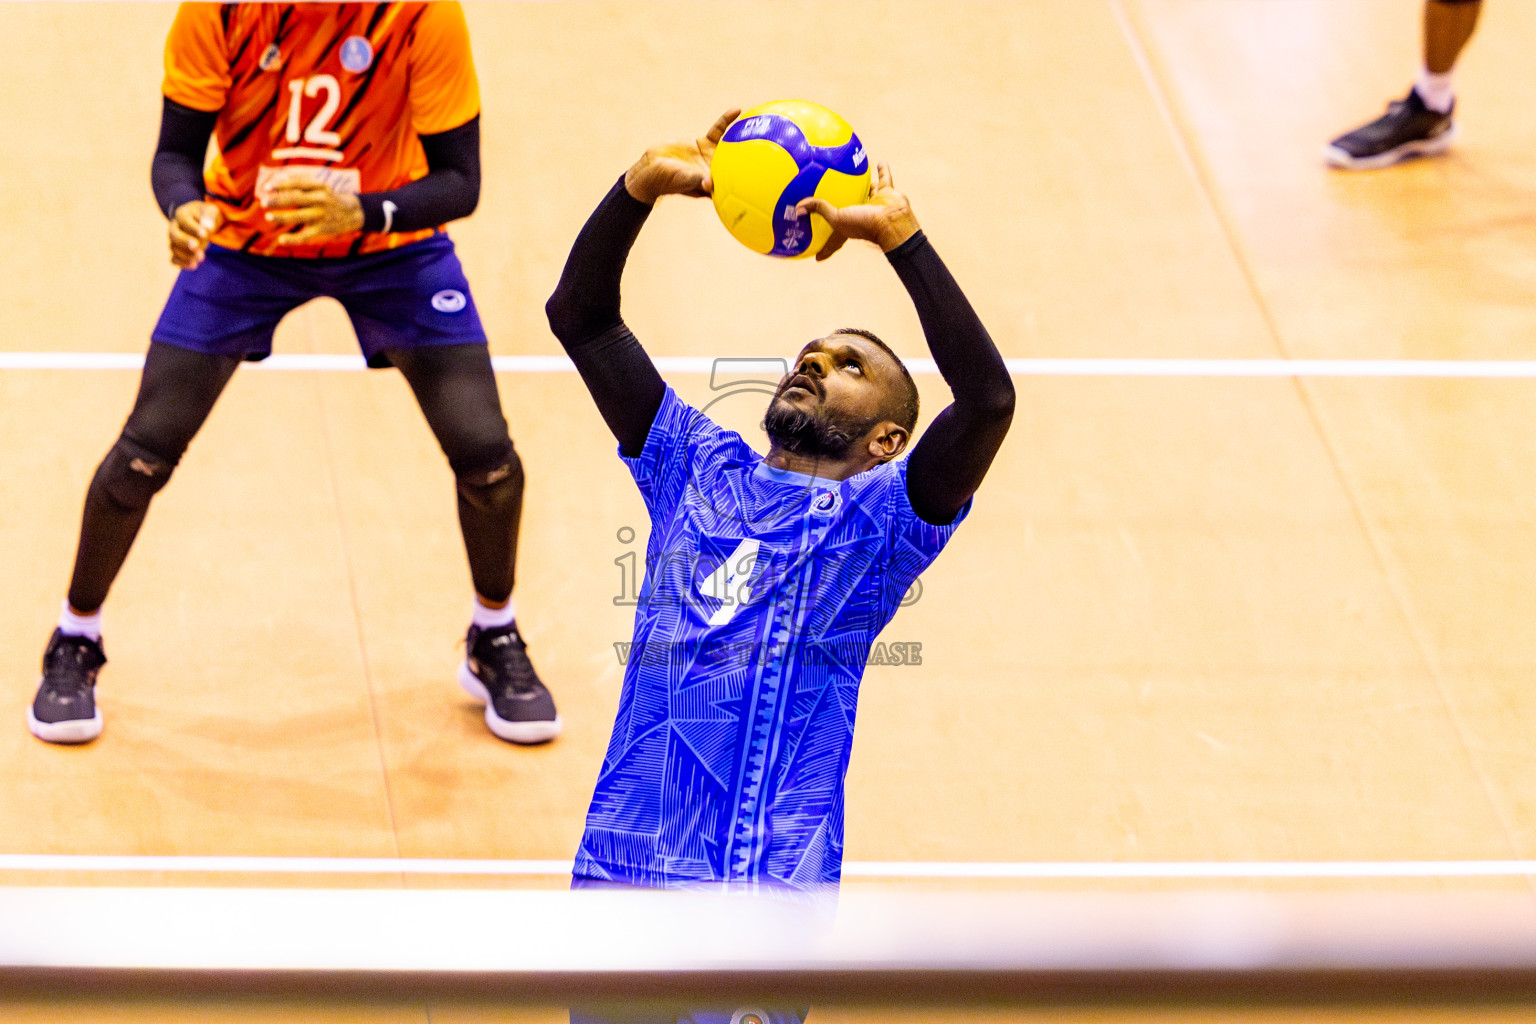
{"x": 176, "y": 395}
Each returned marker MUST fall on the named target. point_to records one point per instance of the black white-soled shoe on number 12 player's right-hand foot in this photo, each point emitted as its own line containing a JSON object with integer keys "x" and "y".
{"x": 497, "y": 672}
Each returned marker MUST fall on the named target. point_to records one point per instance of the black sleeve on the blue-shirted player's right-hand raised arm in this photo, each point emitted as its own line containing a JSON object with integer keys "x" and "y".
{"x": 956, "y": 451}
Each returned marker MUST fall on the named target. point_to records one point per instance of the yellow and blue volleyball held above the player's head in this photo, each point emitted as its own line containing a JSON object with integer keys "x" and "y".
{"x": 775, "y": 156}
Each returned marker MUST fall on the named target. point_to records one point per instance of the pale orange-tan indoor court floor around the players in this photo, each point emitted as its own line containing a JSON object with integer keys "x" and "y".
{"x": 1191, "y": 619}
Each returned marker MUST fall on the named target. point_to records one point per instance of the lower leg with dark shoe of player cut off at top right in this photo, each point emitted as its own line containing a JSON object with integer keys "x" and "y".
{"x": 1422, "y": 124}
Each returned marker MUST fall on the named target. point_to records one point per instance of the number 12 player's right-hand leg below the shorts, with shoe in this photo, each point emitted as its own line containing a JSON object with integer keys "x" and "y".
{"x": 457, "y": 392}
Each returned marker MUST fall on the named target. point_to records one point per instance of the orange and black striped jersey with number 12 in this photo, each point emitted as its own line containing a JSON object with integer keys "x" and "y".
{"x": 343, "y": 90}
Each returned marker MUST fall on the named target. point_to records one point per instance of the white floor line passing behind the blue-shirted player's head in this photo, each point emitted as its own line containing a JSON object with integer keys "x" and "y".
{"x": 1435, "y": 369}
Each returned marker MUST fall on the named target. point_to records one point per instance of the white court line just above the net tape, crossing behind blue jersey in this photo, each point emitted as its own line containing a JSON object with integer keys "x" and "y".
{"x": 1022, "y": 871}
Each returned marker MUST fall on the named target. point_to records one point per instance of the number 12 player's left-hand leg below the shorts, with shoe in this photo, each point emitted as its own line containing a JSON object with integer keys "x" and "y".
{"x": 176, "y": 395}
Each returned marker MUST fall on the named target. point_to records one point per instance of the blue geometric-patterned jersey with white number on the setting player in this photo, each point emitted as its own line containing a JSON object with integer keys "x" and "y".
{"x": 764, "y": 592}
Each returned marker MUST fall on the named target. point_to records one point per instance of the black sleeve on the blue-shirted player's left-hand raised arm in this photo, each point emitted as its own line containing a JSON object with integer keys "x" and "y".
{"x": 584, "y": 315}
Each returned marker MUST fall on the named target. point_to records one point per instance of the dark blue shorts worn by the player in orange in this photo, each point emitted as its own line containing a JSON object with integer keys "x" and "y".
{"x": 402, "y": 299}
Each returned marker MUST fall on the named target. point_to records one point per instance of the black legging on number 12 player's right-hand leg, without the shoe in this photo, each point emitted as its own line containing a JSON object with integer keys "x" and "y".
{"x": 457, "y": 392}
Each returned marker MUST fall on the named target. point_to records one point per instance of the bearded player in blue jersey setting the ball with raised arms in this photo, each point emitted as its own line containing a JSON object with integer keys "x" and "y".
{"x": 769, "y": 578}
